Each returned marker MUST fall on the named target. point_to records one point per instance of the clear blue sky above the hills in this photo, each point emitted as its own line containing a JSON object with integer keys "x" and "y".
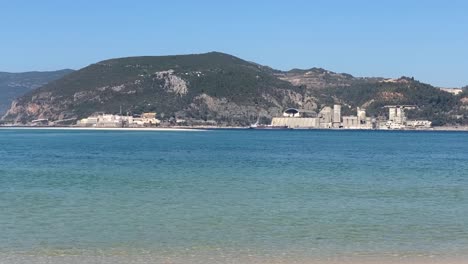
{"x": 424, "y": 39}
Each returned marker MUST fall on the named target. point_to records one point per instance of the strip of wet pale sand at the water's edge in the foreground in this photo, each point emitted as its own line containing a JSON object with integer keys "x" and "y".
{"x": 220, "y": 257}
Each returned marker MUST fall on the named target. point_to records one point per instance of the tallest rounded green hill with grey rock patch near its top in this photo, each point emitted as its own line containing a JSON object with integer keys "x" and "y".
{"x": 213, "y": 86}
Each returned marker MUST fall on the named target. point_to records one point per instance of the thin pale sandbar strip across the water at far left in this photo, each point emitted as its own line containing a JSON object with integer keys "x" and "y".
{"x": 105, "y": 129}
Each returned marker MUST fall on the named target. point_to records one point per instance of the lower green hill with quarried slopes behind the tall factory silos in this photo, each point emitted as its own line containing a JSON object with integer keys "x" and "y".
{"x": 432, "y": 103}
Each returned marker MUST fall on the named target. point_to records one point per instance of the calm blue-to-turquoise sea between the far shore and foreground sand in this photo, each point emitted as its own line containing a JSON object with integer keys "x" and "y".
{"x": 317, "y": 193}
